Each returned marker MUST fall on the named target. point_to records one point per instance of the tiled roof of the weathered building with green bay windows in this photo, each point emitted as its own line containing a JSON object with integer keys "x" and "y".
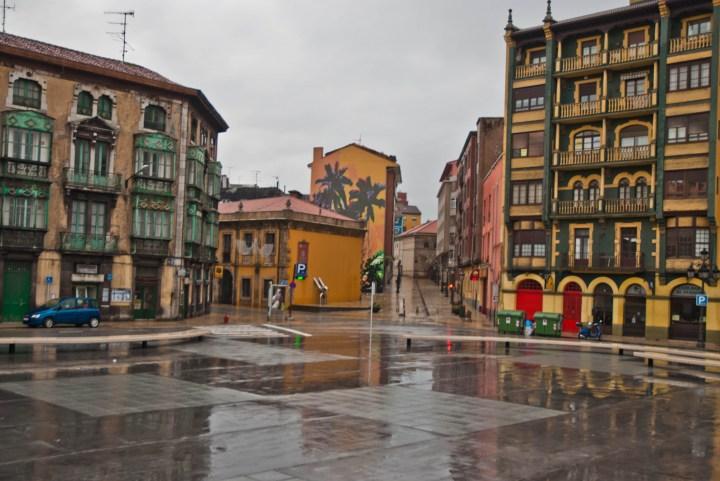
{"x": 129, "y": 72}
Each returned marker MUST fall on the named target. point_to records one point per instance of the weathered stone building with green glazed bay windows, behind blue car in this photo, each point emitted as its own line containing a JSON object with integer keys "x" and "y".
{"x": 109, "y": 184}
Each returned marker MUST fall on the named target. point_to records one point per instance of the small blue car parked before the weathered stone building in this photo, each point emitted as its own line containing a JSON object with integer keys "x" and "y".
{"x": 66, "y": 310}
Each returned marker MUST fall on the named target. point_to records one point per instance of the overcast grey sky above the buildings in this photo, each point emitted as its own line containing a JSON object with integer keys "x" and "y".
{"x": 408, "y": 76}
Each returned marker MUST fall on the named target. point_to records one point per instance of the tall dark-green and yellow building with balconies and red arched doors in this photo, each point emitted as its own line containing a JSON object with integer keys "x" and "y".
{"x": 611, "y": 180}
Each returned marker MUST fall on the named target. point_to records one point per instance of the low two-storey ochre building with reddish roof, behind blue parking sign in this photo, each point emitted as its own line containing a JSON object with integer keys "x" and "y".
{"x": 263, "y": 239}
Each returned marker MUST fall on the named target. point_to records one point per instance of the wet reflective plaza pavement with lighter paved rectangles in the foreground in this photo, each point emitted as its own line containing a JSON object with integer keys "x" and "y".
{"x": 322, "y": 409}
